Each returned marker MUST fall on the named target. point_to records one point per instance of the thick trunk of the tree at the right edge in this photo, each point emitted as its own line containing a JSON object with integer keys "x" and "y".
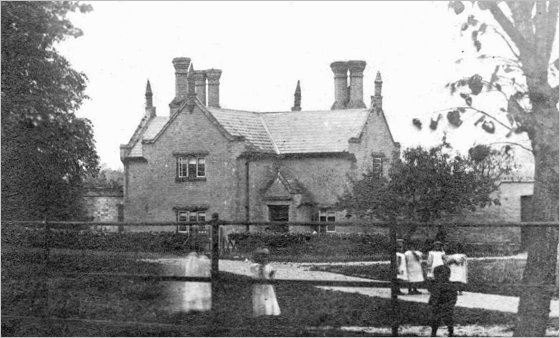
{"x": 534, "y": 303}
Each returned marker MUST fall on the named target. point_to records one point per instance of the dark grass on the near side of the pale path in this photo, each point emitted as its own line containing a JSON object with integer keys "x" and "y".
{"x": 25, "y": 292}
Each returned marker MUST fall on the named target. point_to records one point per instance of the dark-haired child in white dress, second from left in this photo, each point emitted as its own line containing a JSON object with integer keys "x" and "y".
{"x": 264, "y": 297}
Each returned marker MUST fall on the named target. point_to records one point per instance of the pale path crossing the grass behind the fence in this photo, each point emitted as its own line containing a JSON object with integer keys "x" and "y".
{"x": 301, "y": 271}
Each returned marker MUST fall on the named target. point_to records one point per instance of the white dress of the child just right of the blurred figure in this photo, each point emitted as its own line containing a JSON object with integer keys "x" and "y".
{"x": 264, "y": 297}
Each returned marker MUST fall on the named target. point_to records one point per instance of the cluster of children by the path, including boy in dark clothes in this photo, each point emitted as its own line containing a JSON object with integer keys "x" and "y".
{"x": 447, "y": 274}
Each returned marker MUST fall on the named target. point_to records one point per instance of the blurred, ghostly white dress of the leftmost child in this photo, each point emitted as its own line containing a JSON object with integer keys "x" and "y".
{"x": 197, "y": 296}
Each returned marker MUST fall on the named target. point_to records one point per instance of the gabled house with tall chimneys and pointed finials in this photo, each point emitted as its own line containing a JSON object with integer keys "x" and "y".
{"x": 252, "y": 166}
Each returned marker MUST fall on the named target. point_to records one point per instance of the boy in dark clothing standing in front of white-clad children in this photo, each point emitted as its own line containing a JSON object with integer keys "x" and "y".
{"x": 442, "y": 299}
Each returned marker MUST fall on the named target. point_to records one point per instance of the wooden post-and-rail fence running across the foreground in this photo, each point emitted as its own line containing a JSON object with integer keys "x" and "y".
{"x": 394, "y": 284}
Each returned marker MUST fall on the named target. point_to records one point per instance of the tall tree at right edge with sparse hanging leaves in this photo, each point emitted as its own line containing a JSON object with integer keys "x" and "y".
{"x": 527, "y": 79}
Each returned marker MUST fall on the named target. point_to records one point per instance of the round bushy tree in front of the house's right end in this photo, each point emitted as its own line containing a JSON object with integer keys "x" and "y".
{"x": 426, "y": 185}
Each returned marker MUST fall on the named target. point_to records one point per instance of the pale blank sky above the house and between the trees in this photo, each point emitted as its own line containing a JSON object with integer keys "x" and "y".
{"x": 263, "y": 48}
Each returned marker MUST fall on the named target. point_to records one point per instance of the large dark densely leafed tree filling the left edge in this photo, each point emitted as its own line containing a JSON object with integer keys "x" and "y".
{"x": 46, "y": 149}
